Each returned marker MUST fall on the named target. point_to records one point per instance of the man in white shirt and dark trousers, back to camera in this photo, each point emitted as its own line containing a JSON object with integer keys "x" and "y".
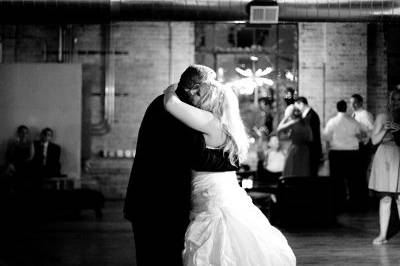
{"x": 342, "y": 133}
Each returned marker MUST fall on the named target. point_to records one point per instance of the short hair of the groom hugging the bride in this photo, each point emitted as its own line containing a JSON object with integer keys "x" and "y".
{"x": 192, "y": 76}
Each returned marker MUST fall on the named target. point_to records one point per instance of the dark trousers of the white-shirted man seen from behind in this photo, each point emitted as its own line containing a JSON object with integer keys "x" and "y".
{"x": 346, "y": 176}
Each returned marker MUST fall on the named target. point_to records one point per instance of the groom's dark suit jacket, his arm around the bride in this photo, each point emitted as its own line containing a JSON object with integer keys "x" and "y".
{"x": 160, "y": 180}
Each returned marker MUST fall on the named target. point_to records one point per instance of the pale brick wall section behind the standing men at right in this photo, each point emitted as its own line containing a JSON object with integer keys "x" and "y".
{"x": 333, "y": 64}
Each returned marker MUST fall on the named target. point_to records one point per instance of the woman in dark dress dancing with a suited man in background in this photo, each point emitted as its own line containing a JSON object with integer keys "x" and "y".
{"x": 298, "y": 155}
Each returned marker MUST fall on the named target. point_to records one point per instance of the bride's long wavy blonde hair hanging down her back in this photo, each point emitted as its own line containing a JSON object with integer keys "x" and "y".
{"x": 223, "y": 103}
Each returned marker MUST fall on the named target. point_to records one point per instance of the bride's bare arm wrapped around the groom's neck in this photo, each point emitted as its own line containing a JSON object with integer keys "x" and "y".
{"x": 193, "y": 117}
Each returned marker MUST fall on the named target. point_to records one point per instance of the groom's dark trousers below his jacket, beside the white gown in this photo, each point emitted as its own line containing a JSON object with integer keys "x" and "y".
{"x": 158, "y": 244}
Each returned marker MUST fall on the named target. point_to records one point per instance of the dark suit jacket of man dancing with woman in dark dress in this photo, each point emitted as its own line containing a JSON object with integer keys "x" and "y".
{"x": 312, "y": 119}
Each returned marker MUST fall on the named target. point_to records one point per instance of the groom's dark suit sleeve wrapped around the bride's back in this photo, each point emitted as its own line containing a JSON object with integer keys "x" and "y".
{"x": 213, "y": 160}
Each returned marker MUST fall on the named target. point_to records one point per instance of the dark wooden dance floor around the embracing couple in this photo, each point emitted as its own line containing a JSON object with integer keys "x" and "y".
{"x": 108, "y": 242}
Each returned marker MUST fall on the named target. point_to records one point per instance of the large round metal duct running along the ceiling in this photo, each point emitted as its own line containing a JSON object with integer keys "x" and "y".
{"x": 102, "y": 11}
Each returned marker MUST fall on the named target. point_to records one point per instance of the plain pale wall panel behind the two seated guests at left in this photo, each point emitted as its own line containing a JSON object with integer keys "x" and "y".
{"x": 43, "y": 95}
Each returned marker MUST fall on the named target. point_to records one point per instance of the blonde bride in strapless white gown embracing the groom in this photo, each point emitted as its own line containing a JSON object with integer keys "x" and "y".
{"x": 225, "y": 228}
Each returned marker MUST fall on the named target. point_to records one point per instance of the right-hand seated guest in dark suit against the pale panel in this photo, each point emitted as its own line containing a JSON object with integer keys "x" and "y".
{"x": 46, "y": 161}
